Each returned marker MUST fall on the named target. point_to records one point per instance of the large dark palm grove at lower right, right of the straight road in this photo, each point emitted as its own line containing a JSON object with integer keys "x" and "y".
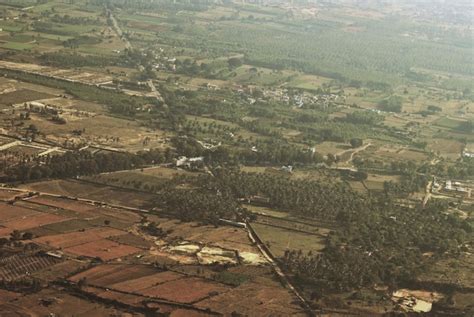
{"x": 384, "y": 244}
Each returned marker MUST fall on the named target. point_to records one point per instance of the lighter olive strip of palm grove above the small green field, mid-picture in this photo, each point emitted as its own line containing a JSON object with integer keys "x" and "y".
{"x": 307, "y": 198}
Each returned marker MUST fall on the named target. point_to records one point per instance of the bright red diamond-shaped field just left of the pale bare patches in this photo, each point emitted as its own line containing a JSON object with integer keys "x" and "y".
{"x": 104, "y": 249}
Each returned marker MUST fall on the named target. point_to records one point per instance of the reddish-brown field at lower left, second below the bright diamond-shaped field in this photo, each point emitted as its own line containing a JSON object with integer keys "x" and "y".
{"x": 109, "y": 274}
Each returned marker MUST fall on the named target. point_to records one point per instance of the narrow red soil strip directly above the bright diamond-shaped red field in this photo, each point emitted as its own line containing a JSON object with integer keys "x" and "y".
{"x": 71, "y": 239}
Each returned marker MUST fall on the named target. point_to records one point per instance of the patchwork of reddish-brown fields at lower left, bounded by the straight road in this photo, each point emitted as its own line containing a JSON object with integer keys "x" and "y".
{"x": 64, "y": 244}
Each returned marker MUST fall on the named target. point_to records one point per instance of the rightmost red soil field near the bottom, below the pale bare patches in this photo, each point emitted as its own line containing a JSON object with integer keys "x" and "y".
{"x": 187, "y": 290}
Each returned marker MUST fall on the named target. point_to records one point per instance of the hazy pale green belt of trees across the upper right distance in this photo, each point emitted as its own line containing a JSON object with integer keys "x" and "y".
{"x": 371, "y": 53}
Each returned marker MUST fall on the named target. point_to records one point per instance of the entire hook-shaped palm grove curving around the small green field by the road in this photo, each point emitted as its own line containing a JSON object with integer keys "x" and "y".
{"x": 376, "y": 242}
